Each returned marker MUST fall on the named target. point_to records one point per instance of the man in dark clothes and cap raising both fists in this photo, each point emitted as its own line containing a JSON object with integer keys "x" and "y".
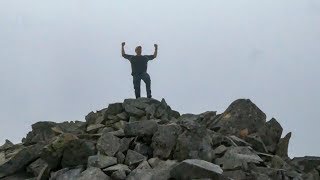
{"x": 139, "y": 65}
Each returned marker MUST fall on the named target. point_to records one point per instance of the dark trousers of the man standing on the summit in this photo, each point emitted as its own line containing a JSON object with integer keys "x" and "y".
{"x": 137, "y": 82}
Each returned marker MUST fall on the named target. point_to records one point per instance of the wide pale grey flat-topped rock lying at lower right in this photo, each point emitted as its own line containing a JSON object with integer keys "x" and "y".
{"x": 237, "y": 157}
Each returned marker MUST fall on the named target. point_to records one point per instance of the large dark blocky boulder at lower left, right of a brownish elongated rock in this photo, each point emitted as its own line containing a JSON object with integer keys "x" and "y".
{"x": 76, "y": 152}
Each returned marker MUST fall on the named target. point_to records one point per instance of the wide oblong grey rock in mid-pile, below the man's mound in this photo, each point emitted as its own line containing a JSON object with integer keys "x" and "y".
{"x": 141, "y": 128}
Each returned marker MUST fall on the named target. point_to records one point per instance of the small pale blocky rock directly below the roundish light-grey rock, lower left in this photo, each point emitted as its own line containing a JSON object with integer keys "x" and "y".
{"x": 101, "y": 161}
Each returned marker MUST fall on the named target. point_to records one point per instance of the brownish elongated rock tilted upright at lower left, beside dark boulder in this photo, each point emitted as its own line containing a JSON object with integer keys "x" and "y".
{"x": 52, "y": 153}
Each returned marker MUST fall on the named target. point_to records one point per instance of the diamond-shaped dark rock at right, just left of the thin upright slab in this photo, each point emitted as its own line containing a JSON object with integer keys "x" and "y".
{"x": 270, "y": 134}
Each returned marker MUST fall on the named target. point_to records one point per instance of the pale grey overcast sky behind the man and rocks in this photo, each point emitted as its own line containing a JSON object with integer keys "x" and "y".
{"x": 61, "y": 59}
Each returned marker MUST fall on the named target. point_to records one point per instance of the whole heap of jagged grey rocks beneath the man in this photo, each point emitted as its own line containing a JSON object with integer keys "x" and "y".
{"x": 145, "y": 139}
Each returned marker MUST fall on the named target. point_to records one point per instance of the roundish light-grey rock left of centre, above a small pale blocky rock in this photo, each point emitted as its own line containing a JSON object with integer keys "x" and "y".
{"x": 108, "y": 144}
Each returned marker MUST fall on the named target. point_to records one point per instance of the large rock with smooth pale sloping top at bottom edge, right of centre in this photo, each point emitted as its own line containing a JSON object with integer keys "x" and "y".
{"x": 196, "y": 169}
